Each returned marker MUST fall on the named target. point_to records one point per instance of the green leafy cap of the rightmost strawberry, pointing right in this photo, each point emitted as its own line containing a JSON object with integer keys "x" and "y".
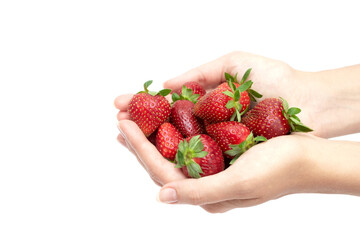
{"x": 294, "y": 121}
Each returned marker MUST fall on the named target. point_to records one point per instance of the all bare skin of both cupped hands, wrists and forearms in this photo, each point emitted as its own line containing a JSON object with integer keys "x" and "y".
{"x": 284, "y": 165}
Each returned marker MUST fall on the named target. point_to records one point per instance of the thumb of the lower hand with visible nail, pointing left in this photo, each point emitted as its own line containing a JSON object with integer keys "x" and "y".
{"x": 205, "y": 190}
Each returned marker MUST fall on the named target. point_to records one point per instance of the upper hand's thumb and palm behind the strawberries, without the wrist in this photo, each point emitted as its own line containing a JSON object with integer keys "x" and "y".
{"x": 272, "y": 78}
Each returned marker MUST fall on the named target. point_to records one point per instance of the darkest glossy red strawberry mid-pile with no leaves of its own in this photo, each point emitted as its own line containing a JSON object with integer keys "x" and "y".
{"x": 183, "y": 118}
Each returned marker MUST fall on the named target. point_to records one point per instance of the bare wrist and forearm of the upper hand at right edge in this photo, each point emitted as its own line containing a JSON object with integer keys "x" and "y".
{"x": 329, "y": 98}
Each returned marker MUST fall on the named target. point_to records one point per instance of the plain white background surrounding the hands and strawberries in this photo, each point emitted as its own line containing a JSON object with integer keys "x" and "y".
{"x": 62, "y": 173}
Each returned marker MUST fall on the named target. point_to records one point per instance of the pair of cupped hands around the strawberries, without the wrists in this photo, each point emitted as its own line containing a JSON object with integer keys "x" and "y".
{"x": 267, "y": 171}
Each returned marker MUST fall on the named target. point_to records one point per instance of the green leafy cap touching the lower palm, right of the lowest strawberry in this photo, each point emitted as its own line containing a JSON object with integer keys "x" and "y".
{"x": 238, "y": 149}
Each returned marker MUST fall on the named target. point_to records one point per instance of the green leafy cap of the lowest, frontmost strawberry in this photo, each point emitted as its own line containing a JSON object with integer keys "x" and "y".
{"x": 186, "y": 153}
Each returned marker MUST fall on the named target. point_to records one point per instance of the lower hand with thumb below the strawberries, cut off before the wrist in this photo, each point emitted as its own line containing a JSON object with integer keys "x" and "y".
{"x": 266, "y": 171}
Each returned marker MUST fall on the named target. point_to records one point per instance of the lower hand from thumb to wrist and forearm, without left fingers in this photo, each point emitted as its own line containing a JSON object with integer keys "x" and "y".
{"x": 296, "y": 163}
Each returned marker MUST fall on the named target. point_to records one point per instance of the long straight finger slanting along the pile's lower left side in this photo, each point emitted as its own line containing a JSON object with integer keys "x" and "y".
{"x": 157, "y": 166}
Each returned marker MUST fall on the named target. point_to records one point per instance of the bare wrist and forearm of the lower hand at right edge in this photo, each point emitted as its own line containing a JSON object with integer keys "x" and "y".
{"x": 331, "y": 167}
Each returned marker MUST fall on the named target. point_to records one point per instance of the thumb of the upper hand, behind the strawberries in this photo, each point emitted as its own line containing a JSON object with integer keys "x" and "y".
{"x": 208, "y": 75}
